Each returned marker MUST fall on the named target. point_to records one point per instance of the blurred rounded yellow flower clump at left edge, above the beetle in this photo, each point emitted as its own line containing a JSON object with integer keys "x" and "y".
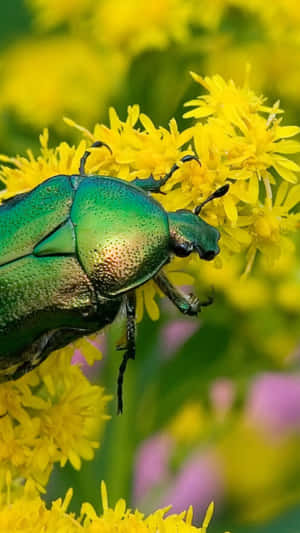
{"x": 58, "y": 75}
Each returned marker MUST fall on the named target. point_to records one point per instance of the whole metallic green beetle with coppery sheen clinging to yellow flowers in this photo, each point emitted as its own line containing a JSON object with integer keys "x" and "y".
{"x": 72, "y": 252}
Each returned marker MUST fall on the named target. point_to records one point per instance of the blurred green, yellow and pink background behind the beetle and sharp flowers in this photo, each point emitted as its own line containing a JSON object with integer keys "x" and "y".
{"x": 212, "y": 406}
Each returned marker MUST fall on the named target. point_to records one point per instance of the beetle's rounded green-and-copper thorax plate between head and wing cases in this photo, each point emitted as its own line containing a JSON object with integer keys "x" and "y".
{"x": 122, "y": 234}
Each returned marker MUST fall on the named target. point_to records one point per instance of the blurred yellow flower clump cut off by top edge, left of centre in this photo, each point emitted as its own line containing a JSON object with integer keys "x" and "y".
{"x": 166, "y": 20}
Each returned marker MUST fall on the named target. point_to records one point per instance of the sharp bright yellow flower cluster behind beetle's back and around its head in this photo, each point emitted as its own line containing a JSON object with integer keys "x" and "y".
{"x": 237, "y": 138}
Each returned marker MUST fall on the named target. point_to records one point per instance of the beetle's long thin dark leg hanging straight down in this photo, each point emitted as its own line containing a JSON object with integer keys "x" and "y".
{"x": 130, "y": 345}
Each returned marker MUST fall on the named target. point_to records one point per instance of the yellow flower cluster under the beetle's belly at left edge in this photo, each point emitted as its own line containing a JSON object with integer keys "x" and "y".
{"x": 51, "y": 415}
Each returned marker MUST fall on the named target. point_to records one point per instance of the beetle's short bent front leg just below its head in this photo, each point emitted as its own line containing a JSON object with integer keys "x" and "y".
{"x": 188, "y": 305}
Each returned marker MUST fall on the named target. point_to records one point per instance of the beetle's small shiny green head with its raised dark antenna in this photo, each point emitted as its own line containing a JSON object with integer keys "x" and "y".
{"x": 190, "y": 233}
